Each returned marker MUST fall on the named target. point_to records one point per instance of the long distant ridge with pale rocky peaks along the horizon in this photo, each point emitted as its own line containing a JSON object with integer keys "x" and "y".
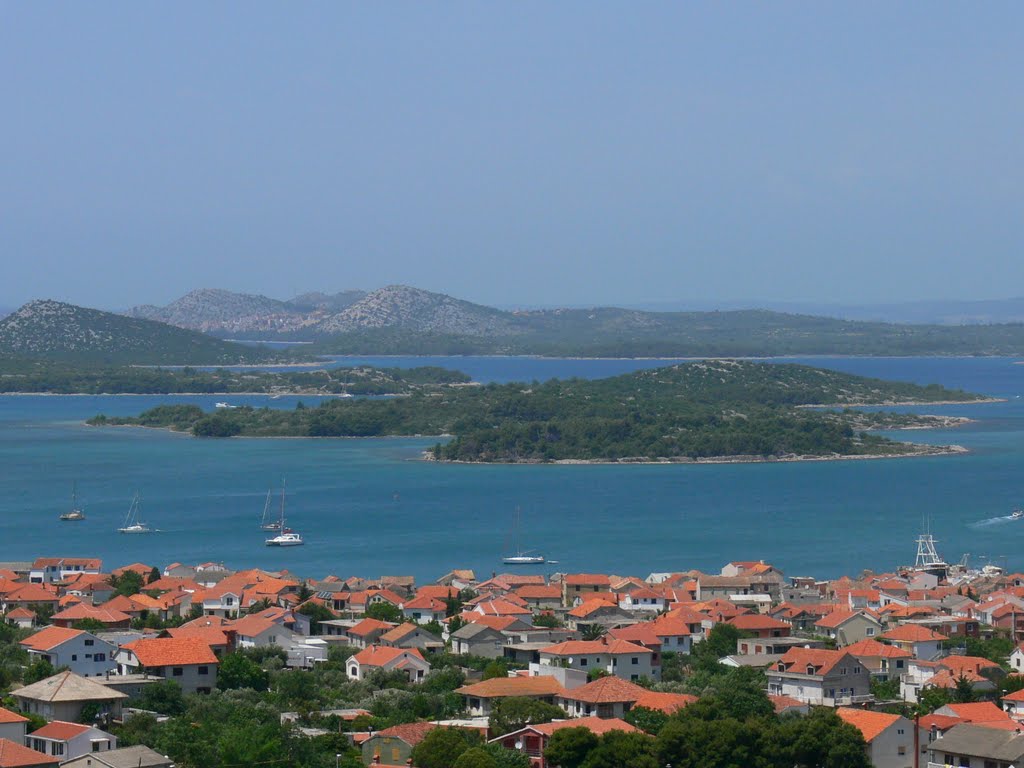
{"x": 402, "y": 320}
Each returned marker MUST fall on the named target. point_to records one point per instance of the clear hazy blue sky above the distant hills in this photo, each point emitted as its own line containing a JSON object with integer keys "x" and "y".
{"x": 513, "y": 154}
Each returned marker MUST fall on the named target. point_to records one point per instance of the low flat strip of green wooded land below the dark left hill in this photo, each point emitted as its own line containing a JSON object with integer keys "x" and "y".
{"x": 55, "y": 378}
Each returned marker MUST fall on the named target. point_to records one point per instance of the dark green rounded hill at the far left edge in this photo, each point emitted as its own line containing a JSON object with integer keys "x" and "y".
{"x": 55, "y": 331}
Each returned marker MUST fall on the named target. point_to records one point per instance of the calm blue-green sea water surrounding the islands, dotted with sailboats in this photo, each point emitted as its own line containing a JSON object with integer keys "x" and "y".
{"x": 370, "y": 507}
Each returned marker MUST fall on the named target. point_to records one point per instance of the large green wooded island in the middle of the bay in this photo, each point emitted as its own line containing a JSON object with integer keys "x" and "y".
{"x": 691, "y": 411}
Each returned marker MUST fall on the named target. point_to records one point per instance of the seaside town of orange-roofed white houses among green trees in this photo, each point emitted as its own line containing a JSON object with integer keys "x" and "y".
{"x": 147, "y": 667}
